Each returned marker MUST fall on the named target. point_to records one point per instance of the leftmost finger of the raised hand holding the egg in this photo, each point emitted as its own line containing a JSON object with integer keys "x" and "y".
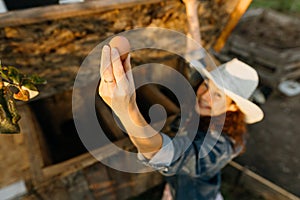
{"x": 106, "y": 70}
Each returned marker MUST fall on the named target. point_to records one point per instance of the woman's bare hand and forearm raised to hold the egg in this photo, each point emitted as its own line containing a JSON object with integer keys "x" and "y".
{"x": 118, "y": 91}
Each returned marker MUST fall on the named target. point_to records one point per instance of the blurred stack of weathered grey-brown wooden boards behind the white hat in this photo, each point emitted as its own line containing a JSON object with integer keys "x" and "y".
{"x": 273, "y": 50}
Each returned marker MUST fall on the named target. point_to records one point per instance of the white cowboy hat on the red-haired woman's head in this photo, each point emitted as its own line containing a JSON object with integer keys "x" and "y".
{"x": 238, "y": 81}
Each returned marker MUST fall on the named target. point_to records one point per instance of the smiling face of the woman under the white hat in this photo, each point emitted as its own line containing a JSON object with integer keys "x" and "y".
{"x": 211, "y": 101}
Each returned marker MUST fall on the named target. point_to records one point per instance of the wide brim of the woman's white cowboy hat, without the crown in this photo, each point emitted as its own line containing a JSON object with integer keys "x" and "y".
{"x": 251, "y": 111}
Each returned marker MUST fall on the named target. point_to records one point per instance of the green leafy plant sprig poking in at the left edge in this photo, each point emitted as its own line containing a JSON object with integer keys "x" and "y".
{"x": 14, "y": 86}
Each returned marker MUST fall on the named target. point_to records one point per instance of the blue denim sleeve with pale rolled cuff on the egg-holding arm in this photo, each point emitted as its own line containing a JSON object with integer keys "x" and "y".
{"x": 204, "y": 157}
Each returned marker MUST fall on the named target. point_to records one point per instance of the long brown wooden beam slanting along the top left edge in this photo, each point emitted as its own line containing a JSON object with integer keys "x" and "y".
{"x": 53, "y": 12}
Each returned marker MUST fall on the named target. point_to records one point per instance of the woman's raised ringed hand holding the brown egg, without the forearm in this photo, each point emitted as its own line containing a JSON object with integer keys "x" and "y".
{"x": 117, "y": 85}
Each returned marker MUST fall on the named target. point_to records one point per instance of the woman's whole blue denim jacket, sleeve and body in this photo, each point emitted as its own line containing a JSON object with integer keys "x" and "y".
{"x": 193, "y": 173}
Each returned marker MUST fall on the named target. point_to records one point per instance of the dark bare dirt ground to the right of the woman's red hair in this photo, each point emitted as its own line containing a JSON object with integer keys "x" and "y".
{"x": 272, "y": 149}
